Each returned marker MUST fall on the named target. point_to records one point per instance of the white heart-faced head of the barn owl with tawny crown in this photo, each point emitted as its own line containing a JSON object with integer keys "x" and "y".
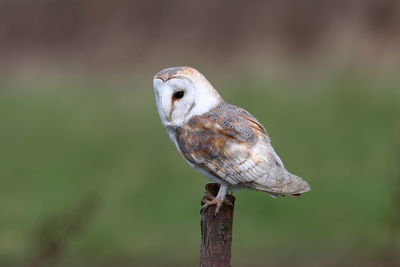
{"x": 183, "y": 92}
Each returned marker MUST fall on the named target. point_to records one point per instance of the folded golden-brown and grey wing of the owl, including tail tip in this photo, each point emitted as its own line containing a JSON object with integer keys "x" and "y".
{"x": 237, "y": 150}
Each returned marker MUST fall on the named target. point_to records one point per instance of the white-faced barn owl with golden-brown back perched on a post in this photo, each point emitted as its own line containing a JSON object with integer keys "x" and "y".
{"x": 224, "y": 142}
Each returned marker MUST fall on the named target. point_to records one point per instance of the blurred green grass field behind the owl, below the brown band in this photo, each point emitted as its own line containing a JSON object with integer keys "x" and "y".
{"x": 90, "y": 178}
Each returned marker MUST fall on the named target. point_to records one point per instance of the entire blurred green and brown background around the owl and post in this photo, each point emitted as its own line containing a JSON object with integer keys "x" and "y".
{"x": 88, "y": 176}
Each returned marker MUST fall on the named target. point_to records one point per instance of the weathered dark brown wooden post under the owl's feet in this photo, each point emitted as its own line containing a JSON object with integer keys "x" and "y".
{"x": 216, "y": 232}
